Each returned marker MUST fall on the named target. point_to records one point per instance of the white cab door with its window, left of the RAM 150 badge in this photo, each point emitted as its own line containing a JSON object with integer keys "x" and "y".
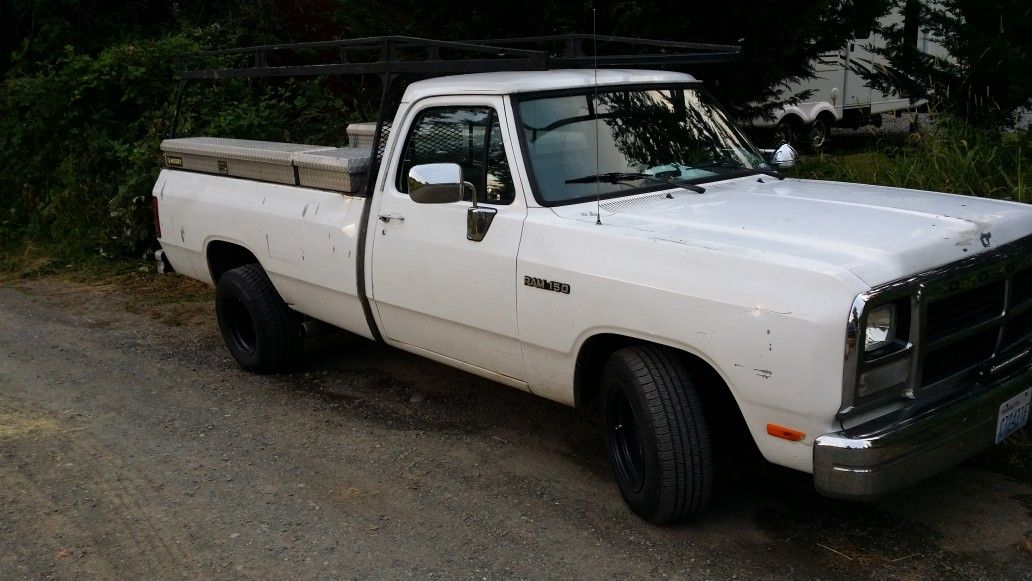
{"x": 434, "y": 288}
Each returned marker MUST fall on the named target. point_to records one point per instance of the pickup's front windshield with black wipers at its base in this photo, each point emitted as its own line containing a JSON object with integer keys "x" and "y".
{"x": 648, "y": 140}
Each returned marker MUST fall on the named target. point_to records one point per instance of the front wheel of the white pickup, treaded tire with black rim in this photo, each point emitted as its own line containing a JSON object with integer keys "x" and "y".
{"x": 658, "y": 439}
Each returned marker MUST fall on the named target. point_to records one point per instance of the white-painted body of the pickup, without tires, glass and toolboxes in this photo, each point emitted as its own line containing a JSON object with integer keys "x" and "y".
{"x": 757, "y": 277}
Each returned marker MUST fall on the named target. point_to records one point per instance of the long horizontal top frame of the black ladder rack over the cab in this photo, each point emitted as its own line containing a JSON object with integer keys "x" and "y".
{"x": 424, "y": 57}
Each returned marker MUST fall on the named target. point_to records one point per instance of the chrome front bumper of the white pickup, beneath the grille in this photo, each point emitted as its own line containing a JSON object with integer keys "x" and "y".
{"x": 893, "y": 453}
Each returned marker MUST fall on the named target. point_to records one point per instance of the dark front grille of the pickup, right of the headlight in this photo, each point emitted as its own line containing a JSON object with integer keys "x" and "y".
{"x": 973, "y": 318}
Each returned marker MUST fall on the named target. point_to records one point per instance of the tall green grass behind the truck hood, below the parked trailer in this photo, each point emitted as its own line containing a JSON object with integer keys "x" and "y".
{"x": 946, "y": 156}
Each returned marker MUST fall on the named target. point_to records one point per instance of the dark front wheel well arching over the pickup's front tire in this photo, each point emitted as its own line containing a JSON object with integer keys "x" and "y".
{"x": 725, "y": 417}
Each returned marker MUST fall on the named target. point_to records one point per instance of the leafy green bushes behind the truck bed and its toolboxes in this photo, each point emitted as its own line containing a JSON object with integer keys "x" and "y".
{"x": 80, "y": 140}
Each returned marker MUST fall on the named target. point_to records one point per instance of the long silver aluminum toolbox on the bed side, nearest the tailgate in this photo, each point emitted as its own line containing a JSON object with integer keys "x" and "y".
{"x": 268, "y": 162}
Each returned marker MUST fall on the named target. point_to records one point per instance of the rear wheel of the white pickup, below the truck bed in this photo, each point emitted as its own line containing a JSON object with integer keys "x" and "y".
{"x": 262, "y": 333}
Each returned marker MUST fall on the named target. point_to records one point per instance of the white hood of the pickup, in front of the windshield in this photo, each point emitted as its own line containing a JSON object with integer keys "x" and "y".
{"x": 878, "y": 234}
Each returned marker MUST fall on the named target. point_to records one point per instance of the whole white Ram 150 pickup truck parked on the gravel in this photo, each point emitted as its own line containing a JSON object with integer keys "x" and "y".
{"x": 610, "y": 236}
